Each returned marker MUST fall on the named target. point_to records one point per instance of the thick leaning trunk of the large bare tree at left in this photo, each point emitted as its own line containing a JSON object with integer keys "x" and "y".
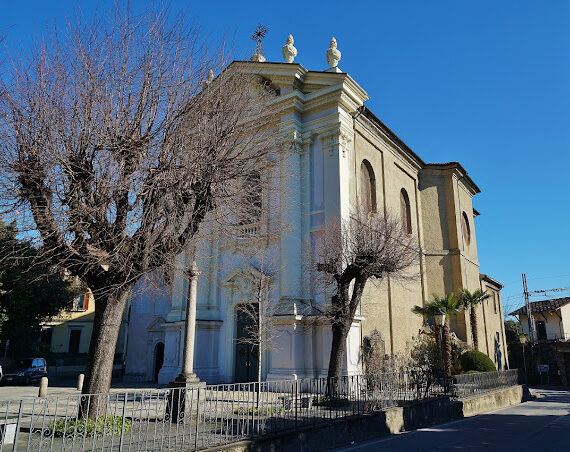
{"x": 99, "y": 368}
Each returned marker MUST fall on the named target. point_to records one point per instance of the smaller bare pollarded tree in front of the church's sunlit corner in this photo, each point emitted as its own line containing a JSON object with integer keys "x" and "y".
{"x": 367, "y": 246}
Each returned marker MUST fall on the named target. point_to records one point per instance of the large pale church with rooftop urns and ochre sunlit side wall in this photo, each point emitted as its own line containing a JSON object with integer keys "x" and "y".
{"x": 342, "y": 154}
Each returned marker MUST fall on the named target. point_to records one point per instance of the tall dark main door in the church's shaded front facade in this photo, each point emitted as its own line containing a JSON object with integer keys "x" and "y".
{"x": 247, "y": 355}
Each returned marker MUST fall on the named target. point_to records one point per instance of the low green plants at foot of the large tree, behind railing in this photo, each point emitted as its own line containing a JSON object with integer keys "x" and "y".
{"x": 109, "y": 425}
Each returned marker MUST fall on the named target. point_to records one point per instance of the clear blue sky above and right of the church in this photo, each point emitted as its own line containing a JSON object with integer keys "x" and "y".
{"x": 485, "y": 83}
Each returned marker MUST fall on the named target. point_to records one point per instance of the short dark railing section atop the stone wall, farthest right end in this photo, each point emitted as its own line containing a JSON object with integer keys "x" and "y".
{"x": 470, "y": 384}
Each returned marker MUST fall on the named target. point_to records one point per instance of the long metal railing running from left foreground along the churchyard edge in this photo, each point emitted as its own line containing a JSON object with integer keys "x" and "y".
{"x": 201, "y": 417}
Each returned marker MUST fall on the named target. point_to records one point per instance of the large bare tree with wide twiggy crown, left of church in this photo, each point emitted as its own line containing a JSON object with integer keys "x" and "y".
{"x": 118, "y": 144}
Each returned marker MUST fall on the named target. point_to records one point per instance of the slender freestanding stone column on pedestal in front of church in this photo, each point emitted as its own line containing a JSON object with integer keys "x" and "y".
{"x": 187, "y": 376}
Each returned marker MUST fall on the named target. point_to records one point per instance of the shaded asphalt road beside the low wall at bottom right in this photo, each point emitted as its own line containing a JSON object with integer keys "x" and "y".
{"x": 539, "y": 425}
